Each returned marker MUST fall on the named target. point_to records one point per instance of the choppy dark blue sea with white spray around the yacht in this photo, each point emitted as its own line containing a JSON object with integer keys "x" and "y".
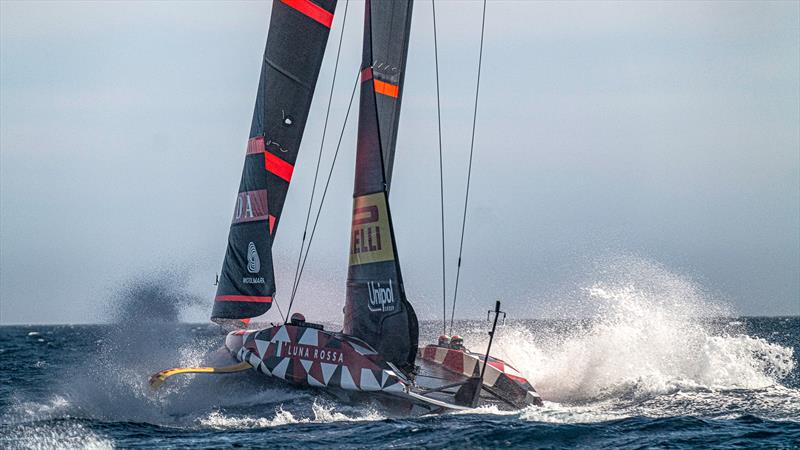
{"x": 640, "y": 371}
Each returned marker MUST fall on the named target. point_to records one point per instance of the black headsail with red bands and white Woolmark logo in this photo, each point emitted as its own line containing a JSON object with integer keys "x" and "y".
{"x": 296, "y": 42}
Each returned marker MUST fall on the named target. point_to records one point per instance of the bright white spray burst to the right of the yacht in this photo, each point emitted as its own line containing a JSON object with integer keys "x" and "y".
{"x": 652, "y": 334}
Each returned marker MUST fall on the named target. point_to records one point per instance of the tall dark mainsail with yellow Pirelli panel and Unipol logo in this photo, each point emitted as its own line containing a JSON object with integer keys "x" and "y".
{"x": 376, "y": 308}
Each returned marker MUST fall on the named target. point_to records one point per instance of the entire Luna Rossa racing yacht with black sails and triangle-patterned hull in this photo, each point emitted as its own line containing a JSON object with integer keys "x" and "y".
{"x": 377, "y": 352}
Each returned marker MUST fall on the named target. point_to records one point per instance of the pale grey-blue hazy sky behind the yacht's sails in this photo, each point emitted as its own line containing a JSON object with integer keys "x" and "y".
{"x": 664, "y": 132}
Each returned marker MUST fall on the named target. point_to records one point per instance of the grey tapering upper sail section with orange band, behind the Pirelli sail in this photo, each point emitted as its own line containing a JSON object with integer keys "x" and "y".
{"x": 391, "y": 26}
